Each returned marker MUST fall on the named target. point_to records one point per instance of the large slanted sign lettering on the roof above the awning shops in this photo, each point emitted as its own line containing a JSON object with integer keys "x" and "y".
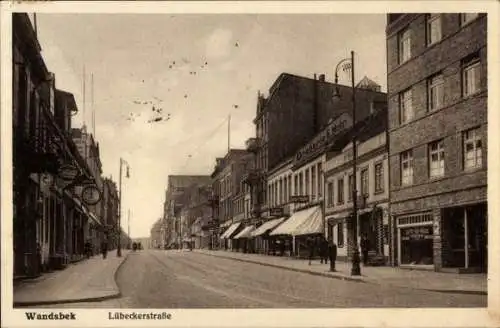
{"x": 342, "y": 123}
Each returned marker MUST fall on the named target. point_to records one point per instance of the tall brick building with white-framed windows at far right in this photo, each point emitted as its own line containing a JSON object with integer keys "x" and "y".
{"x": 437, "y": 90}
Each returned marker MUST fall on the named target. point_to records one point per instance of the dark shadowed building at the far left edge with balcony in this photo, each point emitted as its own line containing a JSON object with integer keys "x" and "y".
{"x": 48, "y": 214}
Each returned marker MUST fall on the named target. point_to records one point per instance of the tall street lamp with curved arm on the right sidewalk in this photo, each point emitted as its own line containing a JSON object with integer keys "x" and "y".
{"x": 348, "y": 63}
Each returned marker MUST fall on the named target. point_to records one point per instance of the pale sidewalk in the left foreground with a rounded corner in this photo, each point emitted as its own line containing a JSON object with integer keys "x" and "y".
{"x": 89, "y": 280}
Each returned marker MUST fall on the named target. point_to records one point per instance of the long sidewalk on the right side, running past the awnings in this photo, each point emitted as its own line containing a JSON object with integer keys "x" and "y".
{"x": 388, "y": 276}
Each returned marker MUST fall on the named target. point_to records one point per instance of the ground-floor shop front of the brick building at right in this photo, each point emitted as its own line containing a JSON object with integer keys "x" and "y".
{"x": 445, "y": 239}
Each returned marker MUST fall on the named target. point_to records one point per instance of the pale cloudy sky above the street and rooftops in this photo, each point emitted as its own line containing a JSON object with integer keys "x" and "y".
{"x": 196, "y": 70}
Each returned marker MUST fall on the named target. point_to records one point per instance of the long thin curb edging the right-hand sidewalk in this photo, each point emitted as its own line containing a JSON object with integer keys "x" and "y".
{"x": 448, "y": 291}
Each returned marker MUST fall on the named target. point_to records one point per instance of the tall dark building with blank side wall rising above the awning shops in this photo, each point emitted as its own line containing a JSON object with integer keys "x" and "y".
{"x": 297, "y": 109}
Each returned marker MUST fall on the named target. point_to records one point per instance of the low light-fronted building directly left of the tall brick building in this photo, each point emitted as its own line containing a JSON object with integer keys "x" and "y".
{"x": 372, "y": 184}
